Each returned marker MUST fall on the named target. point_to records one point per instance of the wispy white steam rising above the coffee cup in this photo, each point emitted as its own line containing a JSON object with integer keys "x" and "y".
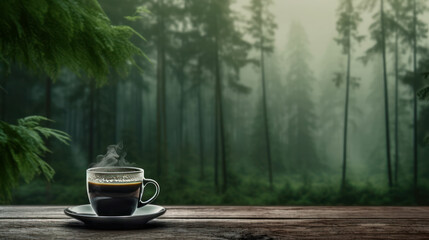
{"x": 113, "y": 157}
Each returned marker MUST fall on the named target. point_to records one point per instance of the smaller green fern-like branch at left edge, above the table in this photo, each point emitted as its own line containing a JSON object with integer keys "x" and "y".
{"x": 22, "y": 147}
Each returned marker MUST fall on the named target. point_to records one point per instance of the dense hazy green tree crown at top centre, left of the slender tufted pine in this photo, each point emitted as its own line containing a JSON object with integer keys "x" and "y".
{"x": 219, "y": 39}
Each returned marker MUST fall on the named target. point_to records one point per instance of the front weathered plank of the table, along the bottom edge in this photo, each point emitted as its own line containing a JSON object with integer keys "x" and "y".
{"x": 223, "y": 229}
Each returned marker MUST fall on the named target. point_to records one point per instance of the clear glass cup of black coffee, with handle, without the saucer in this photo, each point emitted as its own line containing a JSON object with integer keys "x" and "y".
{"x": 117, "y": 191}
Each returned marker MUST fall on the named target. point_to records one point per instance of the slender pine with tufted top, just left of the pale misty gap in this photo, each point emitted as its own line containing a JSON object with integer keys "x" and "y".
{"x": 261, "y": 28}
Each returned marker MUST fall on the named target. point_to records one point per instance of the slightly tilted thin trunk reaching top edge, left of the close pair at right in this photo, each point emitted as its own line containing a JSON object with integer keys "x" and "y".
{"x": 386, "y": 95}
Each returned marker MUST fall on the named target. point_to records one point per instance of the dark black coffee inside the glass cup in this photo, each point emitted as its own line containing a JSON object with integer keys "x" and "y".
{"x": 114, "y": 199}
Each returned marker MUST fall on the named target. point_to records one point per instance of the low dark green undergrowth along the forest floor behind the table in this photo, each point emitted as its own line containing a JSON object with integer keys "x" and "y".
{"x": 181, "y": 190}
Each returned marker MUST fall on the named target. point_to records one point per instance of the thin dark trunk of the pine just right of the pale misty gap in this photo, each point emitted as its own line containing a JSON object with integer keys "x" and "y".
{"x": 346, "y": 115}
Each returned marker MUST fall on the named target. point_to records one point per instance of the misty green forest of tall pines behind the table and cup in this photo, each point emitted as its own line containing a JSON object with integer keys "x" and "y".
{"x": 248, "y": 102}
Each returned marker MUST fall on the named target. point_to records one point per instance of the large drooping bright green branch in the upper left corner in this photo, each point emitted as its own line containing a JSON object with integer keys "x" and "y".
{"x": 46, "y": 35}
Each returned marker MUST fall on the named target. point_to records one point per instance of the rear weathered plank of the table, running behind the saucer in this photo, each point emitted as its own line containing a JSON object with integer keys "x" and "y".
{"x": 242, "y": 212}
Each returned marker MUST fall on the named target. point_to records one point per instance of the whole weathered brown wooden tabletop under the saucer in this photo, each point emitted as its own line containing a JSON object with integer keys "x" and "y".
{"x": 229, "y": 222}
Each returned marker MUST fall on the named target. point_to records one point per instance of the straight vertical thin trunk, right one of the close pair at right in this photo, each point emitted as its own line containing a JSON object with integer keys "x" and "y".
{"x": 396, "y": 106}
